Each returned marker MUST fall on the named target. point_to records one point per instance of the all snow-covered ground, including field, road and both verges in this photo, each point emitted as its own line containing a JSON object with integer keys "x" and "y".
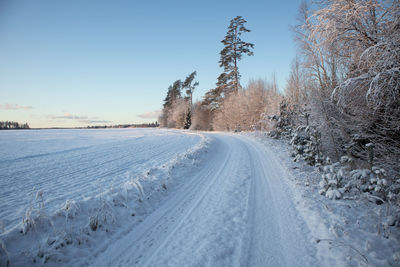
{"x": 182, "y": 198}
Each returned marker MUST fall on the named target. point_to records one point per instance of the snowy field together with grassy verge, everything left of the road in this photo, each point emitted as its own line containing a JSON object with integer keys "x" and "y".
{"x": 66, "y": 190}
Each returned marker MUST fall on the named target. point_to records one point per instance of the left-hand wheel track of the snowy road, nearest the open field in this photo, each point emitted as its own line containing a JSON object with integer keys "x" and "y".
{"x": 162, "y": 223}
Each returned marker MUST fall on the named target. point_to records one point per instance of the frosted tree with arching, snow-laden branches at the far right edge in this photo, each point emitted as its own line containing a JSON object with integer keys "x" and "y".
{"x": 363, "y": 37}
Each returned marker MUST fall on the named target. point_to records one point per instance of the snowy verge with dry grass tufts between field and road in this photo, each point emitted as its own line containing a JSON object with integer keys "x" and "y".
{"x": 81, "y": 227}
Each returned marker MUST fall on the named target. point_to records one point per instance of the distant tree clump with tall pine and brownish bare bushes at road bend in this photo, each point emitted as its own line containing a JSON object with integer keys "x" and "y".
{"x": 228, "y": 106}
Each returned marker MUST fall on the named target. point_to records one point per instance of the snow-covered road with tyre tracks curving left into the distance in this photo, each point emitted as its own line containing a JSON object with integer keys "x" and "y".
{"x": 235, "y": 209}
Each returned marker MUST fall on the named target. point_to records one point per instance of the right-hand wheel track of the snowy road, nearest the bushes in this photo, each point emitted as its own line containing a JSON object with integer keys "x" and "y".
{"x": 276, "y": 235}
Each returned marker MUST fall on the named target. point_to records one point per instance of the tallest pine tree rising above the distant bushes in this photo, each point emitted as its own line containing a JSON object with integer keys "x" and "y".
{"x": 232, "y": 53}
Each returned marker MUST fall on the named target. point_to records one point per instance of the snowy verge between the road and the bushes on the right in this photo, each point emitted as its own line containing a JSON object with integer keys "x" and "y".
{"x": 351, "y": 231}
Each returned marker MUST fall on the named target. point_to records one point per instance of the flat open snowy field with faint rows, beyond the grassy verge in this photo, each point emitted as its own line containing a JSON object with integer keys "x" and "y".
{"x": 76, "y": 164}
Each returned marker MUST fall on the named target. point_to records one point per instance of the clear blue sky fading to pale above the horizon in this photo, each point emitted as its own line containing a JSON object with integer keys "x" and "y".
{"x": 75, "y": 63}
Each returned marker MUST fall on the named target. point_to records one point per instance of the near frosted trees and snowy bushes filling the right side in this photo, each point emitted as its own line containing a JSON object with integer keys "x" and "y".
{"x": 342, "y": 99}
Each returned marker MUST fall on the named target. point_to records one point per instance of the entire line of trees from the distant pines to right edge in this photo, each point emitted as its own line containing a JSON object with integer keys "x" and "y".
{"x": 344, "y": 80}
